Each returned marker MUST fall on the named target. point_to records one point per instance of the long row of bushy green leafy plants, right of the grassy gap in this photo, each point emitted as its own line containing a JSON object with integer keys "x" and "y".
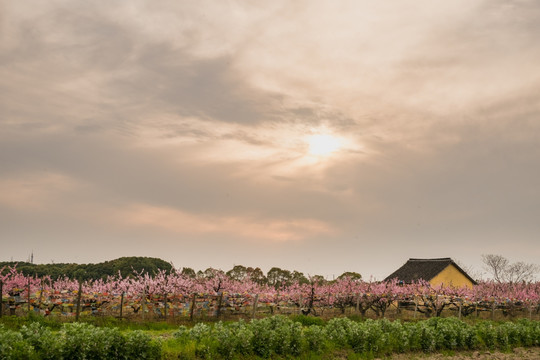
{"x": 279, "y": 335}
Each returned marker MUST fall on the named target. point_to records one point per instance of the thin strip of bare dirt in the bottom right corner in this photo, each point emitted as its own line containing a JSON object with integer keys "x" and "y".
{"x": 516, "y": 354}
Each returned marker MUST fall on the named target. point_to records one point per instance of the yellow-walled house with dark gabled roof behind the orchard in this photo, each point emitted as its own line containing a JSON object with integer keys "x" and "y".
{"x": 436, "y": 271}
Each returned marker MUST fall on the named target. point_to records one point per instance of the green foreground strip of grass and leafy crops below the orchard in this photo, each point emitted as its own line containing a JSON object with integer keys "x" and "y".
{"x": 277, "y": 337}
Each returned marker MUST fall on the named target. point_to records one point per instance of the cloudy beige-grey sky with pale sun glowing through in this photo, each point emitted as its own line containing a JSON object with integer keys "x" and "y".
{"x": 315, "y": 136}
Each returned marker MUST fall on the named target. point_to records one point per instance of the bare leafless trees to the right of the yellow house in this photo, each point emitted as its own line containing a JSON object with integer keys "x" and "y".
{"x": 503, "y": 271}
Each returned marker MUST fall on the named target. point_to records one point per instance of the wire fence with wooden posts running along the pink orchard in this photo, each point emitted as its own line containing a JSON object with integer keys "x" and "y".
{"x": 196, "y": 306}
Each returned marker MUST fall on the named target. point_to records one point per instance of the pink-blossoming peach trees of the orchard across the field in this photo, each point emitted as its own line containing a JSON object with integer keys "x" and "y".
{"x": 313, "y": 297}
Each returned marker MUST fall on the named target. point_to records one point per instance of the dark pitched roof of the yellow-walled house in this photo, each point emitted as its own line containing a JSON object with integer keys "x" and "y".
{"x": 426, "y": 269}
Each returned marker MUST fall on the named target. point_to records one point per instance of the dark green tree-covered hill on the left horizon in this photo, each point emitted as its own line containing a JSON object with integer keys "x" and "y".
{"x": 126, "y": 266}
